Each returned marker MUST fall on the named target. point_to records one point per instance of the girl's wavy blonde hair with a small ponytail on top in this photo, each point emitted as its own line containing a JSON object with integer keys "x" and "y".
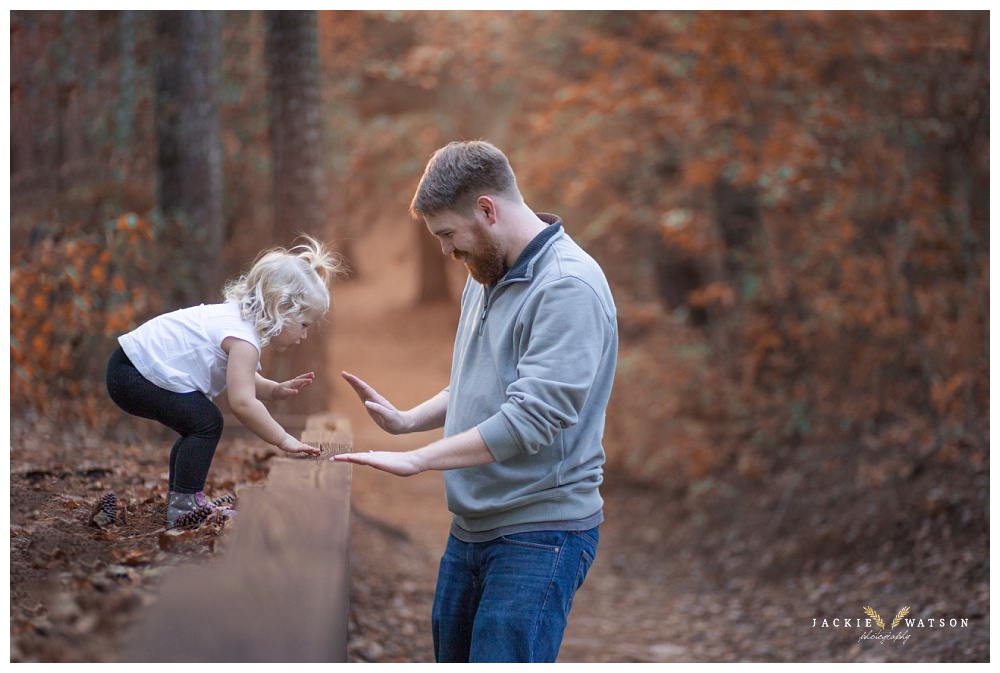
{"x": 283, "y": 285}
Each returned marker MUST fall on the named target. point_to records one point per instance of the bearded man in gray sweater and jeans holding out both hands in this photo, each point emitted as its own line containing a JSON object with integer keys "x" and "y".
{"x": 523, "y": 415}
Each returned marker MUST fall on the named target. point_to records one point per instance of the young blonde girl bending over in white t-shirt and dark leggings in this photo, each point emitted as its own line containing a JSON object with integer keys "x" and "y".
{"x": 171, "y": 367}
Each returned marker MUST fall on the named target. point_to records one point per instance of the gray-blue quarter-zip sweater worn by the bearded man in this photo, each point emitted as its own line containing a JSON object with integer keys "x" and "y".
{"x": 533, "y": 367}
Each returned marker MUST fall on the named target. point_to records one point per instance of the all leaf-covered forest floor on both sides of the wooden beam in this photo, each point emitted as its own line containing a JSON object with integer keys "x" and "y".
{"x": 716, "y": 575}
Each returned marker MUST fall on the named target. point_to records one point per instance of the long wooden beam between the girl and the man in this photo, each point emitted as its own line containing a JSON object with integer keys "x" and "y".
{"x": 278, "y": 590}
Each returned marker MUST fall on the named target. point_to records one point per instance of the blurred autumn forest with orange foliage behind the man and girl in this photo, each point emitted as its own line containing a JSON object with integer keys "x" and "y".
{"x": 792, "y": 209}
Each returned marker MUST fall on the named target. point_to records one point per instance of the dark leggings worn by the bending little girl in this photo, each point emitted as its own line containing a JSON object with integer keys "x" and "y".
{"x": 192, "y": 415}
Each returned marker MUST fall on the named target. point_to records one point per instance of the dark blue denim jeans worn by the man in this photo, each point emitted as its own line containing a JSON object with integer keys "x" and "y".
{"x": 507, "y": 600}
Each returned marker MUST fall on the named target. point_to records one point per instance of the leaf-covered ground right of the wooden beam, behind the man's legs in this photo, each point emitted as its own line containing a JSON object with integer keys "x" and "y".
{"x": 705, "y": 577}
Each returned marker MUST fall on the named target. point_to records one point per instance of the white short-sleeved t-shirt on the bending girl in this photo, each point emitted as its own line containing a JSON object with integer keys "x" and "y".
{"x": 182, "y": 351}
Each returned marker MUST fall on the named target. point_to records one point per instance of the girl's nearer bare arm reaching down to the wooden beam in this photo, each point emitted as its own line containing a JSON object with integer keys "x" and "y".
{"x": 241, "y": 381}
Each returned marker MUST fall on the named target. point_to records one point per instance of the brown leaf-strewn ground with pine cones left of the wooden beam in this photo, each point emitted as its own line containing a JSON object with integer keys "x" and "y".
{"x": 79, "y": 578}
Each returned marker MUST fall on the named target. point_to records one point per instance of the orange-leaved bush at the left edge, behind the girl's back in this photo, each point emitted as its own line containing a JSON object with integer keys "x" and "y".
{"x": 68, "y": 300}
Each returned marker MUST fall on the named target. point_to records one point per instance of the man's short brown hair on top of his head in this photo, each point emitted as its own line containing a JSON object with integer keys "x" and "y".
{"x": 458, "y": 174}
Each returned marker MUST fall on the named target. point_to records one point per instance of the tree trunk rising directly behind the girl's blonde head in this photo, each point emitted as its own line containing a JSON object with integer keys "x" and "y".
{"x": 299, "y": 181}
